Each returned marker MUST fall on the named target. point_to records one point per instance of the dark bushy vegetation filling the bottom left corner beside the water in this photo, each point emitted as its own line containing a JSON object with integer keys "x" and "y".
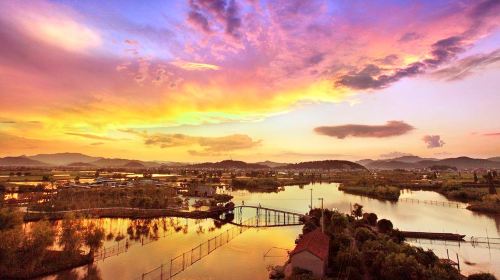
{"x": 28, "y": 253}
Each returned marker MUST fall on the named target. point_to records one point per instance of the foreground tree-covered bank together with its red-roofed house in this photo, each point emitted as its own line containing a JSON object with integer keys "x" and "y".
{"x": 365, "y": 248}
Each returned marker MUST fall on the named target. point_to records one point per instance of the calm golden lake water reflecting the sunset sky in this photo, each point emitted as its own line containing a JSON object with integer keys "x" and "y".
{"x": 244, "y": 256}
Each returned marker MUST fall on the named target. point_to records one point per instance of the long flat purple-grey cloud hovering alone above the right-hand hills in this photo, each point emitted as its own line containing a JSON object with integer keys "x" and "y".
{"x": 391, "y": 128}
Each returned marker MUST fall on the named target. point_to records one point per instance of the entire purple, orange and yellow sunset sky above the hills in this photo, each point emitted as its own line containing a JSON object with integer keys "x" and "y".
{"x": 285, "y": 80}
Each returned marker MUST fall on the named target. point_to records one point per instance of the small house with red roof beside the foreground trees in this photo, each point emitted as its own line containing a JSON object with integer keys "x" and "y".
{"x": 311, "y": 253}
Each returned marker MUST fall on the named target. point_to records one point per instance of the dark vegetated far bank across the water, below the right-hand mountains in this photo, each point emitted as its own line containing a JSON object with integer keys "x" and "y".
{"x": 479, "y": 190}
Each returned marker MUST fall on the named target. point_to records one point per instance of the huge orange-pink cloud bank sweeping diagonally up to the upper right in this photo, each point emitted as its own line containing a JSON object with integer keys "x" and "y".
{"x": 260, "y": 60}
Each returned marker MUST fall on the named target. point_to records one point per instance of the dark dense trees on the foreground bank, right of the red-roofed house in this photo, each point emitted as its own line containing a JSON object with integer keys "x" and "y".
{"x": 360, "y": 250}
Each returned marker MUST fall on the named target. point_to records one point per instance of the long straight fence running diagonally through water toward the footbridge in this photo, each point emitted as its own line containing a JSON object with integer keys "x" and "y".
{"x": 181, "y": 262}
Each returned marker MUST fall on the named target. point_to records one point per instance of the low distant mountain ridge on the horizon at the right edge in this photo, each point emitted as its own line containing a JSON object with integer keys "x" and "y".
{"x": 413, "y": 163}
